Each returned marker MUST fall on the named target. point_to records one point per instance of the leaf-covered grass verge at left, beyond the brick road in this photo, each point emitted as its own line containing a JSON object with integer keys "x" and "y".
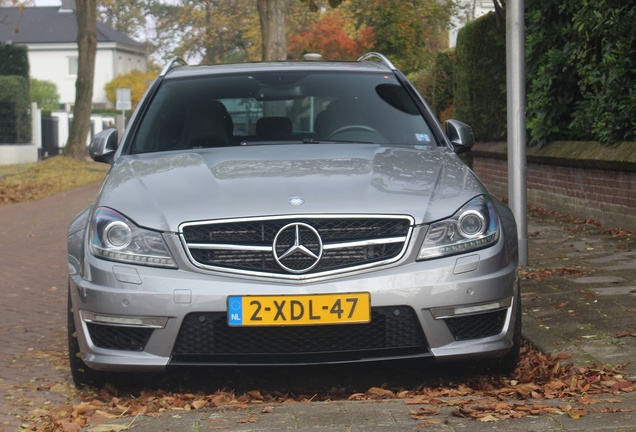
{"x": 31, "y": 182}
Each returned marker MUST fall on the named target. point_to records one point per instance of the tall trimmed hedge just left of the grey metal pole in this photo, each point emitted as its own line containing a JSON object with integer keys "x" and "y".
{"x": 480, "y": 78}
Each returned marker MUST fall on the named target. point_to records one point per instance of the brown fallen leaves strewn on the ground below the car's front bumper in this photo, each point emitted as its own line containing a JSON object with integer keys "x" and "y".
{"x": 541, "y": 385}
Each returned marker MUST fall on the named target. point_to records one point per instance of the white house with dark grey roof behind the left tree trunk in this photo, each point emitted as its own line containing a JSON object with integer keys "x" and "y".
{"x": 50, "y": 33}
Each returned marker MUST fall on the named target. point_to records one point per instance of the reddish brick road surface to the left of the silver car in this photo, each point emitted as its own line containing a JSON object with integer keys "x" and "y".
{"x": 33, "y": 283}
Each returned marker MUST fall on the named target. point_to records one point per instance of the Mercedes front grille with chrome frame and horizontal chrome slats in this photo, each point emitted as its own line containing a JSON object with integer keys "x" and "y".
{"x": 246, "y": 246}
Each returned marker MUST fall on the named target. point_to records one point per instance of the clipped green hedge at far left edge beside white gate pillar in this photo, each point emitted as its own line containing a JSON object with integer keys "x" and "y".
{"x": 15, "y": 119}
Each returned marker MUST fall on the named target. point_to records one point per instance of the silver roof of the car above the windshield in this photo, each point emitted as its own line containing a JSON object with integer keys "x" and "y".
{"x": 181, "y": 70}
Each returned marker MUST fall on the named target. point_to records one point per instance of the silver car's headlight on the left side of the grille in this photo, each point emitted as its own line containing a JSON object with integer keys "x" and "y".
{"x": 115, "y": 238}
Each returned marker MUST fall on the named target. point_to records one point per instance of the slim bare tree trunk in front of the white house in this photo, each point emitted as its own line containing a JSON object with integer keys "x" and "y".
{"x": 86, "y": 13}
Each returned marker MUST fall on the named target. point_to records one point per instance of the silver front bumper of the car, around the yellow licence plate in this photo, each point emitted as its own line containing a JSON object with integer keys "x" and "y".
{"x": 135, "y": 318}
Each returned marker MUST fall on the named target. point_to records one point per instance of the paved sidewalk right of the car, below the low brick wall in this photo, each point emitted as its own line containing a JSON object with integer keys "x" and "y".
{"x": 589, "y": 297}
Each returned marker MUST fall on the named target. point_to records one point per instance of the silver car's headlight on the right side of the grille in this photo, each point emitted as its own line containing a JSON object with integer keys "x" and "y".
{"x": 474, "y": 226}
